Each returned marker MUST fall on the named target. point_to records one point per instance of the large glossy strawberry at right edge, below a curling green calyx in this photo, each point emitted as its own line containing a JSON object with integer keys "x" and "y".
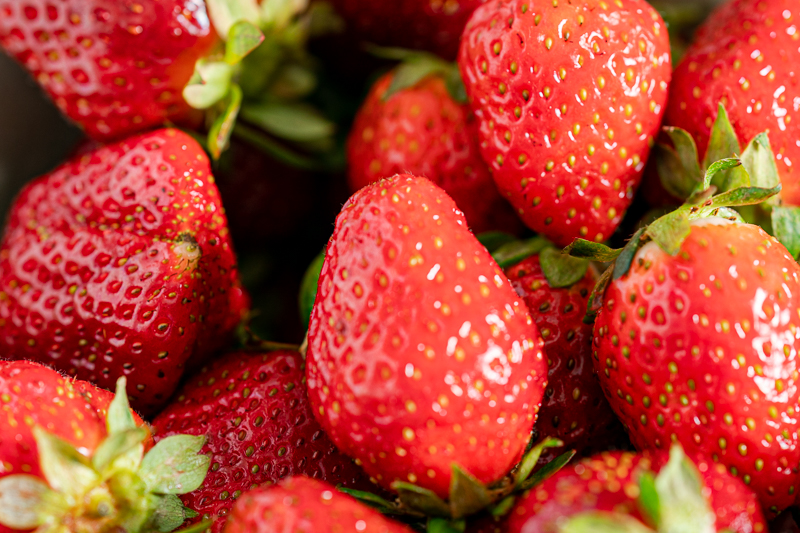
{"x": 701, "y": 348}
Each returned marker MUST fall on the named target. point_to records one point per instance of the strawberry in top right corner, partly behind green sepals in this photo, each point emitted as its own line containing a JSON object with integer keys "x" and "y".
{"x": 745, "y": 57}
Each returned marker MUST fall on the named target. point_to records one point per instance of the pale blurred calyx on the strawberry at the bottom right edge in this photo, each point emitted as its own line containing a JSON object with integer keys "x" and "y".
{"x": 670, "y": 502}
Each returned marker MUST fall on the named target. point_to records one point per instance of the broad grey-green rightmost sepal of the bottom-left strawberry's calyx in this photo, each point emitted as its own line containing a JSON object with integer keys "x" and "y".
{"x": 173, "y": 466}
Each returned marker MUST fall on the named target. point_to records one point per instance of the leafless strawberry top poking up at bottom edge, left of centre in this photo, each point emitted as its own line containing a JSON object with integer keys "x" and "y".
{"x": 305, "y": 505}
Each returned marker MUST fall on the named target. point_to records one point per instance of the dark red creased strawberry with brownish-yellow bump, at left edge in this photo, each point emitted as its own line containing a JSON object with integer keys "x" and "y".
{"x": 120, "y": 263}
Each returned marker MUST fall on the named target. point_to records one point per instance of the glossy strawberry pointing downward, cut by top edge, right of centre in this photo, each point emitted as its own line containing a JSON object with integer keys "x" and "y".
{"x": 569, "y": 96}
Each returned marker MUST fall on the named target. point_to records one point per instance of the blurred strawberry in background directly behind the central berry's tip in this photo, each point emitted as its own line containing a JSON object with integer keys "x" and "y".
{"x": 423, "y": 130}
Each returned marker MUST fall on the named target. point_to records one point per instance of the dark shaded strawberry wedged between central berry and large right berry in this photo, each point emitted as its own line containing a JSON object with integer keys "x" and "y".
{"x": 574, "y": 409}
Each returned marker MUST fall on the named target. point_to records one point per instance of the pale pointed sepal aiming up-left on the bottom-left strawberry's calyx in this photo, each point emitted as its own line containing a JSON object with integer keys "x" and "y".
{"x": 65, "y": 469}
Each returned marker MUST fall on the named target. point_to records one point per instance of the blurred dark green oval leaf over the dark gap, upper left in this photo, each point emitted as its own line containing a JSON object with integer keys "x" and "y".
{"x": 294, "y": 122}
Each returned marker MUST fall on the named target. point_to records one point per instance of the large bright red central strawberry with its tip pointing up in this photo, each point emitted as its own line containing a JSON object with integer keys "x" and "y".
{"x": 420, "y": 354}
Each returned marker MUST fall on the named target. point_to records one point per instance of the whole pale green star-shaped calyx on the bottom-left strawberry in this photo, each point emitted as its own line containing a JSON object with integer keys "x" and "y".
{"x": 119, "y": 489}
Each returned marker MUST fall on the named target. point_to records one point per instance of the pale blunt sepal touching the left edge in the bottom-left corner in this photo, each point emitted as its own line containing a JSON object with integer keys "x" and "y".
{"x": 21, "y": 498}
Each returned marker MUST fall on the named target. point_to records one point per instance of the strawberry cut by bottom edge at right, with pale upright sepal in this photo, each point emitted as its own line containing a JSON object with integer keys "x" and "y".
{"x": 612, "y": 483}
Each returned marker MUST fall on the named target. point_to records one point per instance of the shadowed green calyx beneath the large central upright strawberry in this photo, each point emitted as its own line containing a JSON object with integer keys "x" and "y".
{"x": 468, "y": 496}
